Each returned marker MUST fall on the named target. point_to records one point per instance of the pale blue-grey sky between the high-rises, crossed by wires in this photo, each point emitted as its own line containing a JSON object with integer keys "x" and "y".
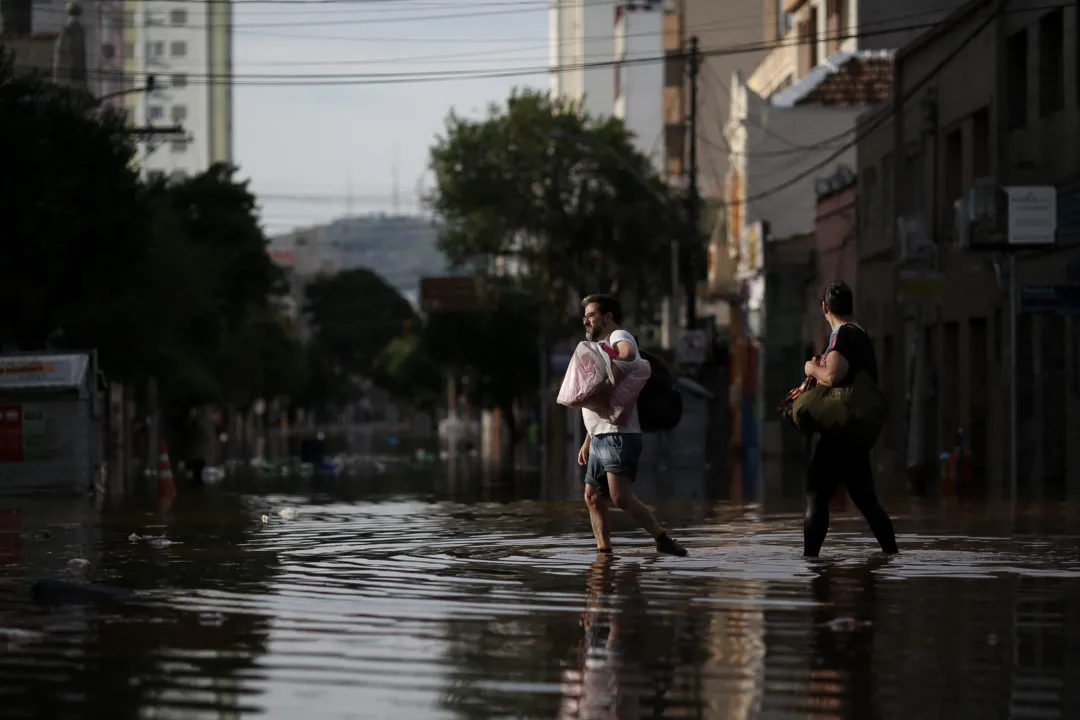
{"x": 315, "y": 151}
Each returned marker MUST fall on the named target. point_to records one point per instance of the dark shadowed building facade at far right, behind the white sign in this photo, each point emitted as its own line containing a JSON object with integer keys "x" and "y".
{"x": 988, "y": 99}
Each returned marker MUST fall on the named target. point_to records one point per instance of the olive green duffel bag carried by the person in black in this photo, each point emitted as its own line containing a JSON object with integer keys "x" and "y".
{"x": 857, "y": 413}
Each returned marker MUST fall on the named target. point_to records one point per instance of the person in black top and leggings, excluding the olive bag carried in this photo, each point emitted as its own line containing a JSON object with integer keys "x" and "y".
{"x": 833, "y": 463}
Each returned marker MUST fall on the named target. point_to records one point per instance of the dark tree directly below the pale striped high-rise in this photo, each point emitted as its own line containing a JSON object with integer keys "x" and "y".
{"x": 227, "y": 346}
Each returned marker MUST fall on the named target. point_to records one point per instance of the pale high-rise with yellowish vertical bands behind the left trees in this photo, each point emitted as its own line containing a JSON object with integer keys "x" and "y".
{"x": 187, "y": 47}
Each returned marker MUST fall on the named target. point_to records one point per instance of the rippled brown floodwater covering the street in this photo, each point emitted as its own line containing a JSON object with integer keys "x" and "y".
{"x": 389, "y": 596}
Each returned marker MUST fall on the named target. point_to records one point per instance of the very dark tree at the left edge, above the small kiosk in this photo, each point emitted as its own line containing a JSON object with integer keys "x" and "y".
{"x": 73, "y": 230}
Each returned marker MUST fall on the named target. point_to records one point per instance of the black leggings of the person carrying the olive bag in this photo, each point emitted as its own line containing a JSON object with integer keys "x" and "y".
{"x": 834, "y": 464}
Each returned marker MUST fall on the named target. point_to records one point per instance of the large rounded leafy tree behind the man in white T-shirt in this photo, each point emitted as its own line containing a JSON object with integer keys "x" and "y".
{"x": 565, "y": 195}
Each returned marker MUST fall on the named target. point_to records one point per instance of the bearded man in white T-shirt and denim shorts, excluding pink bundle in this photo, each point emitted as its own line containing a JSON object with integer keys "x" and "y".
{"x": 611, "y": 453}
